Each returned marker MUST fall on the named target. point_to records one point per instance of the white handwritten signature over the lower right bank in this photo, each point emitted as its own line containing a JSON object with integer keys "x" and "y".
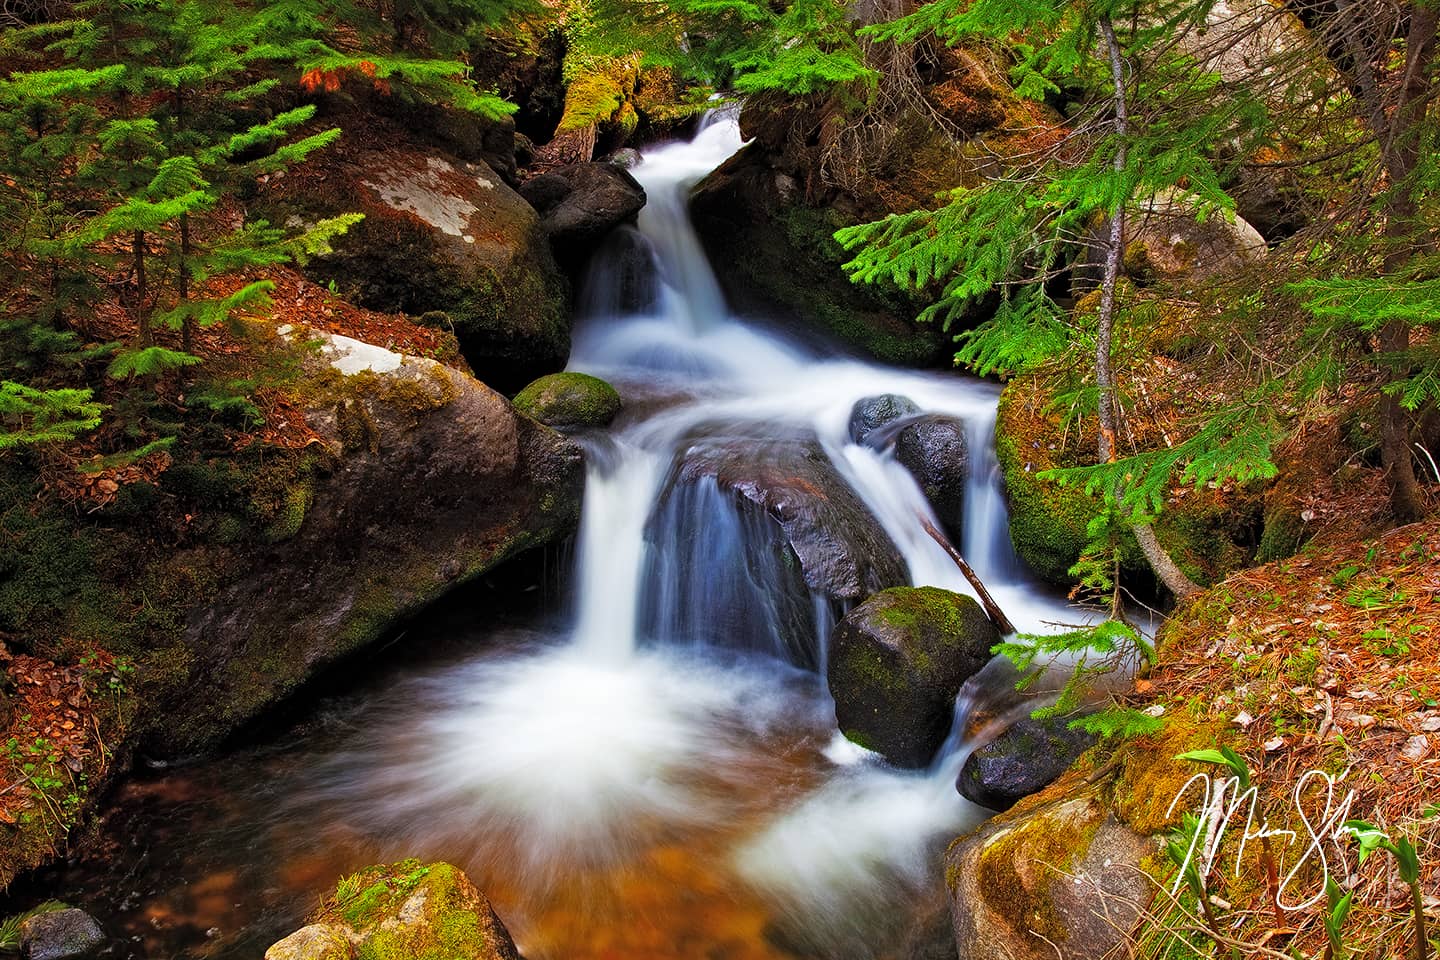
{"x": 1324, "y": 834}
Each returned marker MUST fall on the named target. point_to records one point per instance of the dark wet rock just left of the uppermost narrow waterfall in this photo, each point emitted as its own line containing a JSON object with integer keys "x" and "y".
{"x": 601, "y": 196}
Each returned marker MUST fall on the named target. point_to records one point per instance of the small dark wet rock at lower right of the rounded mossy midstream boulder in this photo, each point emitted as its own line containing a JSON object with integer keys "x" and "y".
{"x": 1023, "y": 761}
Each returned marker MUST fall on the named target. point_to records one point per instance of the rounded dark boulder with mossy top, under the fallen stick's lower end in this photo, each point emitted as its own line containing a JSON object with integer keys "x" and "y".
{"x": 896, "y": 664}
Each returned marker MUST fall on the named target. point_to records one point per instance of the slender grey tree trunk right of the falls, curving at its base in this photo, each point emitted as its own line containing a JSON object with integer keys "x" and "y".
{"x": 1160, "y": 561}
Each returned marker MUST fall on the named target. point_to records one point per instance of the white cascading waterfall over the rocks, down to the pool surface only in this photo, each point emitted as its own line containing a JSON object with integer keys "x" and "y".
{"x": 712, "y": 373}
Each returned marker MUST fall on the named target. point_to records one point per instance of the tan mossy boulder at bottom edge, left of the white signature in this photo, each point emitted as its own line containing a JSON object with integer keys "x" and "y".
{"x": 1061, "y": 880}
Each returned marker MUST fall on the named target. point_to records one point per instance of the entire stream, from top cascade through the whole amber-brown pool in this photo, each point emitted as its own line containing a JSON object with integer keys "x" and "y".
{"x": 660, "y": 776}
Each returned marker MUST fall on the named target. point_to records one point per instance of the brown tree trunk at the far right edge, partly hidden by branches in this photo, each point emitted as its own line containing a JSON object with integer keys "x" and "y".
{"x": 1400, "y": 146}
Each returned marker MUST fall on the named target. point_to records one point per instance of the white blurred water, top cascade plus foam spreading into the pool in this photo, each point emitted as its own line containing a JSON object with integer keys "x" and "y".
{"x": 624, "y": 736}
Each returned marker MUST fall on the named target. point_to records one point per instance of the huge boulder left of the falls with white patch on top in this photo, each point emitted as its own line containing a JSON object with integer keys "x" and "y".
{"x": 430, "y": 479}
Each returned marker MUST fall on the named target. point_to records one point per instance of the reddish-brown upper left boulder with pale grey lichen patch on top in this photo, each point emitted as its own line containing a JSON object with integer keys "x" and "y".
{"x": 441, "y": 237}
